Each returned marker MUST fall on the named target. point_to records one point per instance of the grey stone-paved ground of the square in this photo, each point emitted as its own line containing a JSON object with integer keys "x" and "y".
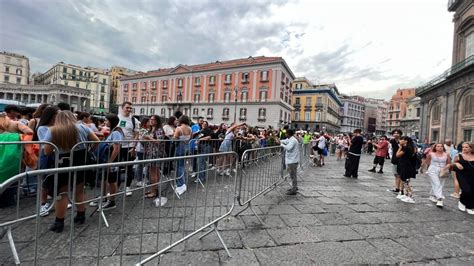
{"x": 333, "y": 219}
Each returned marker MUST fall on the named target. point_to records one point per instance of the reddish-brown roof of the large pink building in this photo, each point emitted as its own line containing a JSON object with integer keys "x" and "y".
{"x": 210, "y": 66}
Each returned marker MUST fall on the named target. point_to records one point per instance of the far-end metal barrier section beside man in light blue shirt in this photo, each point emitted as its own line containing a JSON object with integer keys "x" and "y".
{"x": 260, "y": 174}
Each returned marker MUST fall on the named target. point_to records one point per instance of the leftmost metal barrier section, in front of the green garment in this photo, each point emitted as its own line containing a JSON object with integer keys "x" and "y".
{"x": 25, "y": 177}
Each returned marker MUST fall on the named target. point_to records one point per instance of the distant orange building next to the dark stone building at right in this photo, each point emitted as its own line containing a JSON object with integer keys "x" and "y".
{"x": 398, "y": 107}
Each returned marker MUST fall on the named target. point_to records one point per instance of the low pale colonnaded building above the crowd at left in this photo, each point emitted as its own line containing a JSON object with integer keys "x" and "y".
{"x": 78, "y": 98}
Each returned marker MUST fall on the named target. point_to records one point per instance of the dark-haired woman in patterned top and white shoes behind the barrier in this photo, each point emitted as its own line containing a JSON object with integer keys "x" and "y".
{"x": 155, "y": 151}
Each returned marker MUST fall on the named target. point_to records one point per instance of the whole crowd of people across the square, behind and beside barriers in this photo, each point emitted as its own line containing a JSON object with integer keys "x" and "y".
{"x": 123, "y": 137}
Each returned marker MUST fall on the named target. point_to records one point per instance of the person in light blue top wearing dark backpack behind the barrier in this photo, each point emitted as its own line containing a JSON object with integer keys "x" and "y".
{"x": 109, "y": 152}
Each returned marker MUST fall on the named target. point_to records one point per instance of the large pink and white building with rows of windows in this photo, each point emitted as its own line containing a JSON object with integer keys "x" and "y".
{"x": 255, "y": 90}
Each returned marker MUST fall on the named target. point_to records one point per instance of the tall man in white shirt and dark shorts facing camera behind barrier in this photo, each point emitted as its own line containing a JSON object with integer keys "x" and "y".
{"x": 130, "y": 127}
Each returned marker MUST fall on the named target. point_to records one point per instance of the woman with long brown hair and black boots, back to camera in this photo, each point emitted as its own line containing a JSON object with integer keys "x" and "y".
{"x": 65, "y": 134}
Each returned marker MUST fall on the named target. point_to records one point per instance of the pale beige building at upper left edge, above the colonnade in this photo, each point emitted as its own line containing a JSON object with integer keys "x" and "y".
{"x": 14, "y": 68}
